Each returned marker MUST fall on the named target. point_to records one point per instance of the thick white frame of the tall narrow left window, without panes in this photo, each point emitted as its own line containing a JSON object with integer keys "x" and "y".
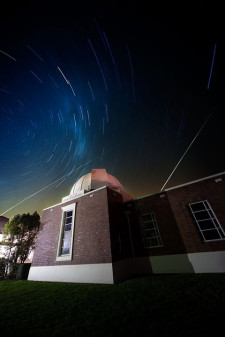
{"x": 66, "y": 257}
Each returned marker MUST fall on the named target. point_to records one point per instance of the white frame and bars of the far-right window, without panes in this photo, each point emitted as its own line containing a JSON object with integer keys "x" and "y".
{"x": 211, "y": 216}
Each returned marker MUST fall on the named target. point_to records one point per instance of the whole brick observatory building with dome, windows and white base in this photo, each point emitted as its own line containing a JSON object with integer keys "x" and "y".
{"x": 100, "y": 234}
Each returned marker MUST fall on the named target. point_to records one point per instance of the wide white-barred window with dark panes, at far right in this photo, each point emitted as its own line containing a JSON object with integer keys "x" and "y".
{"x": 206, "y": 221}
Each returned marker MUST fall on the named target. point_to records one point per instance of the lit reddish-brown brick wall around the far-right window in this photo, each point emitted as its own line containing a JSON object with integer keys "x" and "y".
{"x": 179, "y": 198}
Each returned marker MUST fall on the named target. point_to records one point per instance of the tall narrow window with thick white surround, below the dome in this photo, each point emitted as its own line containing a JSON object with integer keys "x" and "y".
{"x": 65, "y": 244}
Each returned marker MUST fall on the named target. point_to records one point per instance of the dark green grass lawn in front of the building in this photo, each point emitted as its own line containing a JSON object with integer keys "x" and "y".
{"x": 159, "y": 305}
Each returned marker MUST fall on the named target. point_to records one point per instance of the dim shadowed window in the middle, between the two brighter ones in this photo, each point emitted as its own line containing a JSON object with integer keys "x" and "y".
{"x": 150, "y": 230}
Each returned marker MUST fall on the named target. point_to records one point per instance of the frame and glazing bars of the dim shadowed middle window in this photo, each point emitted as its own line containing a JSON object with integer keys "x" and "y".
{"x": 156, "y": 229}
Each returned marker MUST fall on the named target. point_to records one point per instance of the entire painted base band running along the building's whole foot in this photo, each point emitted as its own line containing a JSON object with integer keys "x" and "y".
{"x": 108, "y": 273}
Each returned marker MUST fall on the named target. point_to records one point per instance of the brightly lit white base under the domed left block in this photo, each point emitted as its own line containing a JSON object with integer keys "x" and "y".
{"x": 83, "y": 273}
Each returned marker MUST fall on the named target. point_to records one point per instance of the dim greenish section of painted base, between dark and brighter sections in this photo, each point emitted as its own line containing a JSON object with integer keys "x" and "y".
{"x": 178, "y": 263}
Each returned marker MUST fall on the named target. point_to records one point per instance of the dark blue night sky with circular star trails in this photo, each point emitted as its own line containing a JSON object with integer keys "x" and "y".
{"x": 114, "y": 85}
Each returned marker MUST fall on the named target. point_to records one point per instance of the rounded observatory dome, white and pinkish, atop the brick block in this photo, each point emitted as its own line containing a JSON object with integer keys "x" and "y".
{"x": 96, "y": 179}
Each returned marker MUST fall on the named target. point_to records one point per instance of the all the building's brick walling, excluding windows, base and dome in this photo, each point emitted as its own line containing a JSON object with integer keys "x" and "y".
{"x": 109, "y": 230}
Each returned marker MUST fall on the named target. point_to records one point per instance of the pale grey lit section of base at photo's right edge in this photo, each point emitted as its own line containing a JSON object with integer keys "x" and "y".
{"x": 208, "y": 262}
